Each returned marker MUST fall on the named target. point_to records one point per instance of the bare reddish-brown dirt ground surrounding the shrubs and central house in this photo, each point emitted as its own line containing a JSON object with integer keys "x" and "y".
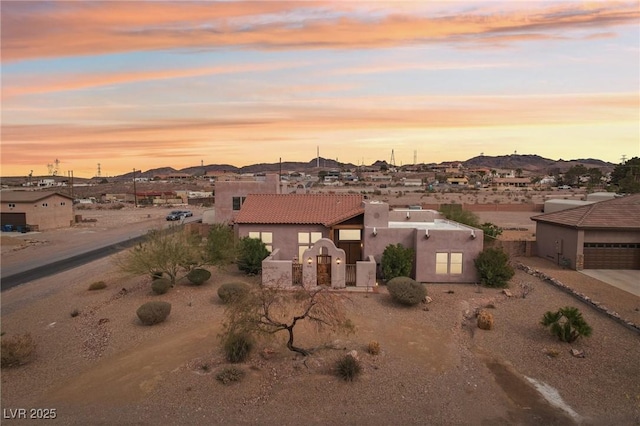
{"x": 436, "y": 367}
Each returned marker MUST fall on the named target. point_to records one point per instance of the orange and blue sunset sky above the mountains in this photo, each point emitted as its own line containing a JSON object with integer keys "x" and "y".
{"x": 146, "y": 84}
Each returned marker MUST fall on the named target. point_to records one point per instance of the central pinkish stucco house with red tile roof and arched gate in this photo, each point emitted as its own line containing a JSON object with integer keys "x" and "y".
{"x": 338, "y": 240}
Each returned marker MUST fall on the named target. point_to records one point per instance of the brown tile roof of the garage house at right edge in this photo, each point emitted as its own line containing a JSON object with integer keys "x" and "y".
{"x": 618, "y": 213}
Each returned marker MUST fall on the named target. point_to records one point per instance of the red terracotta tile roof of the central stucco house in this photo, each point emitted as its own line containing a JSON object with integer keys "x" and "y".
{"x": 322, "y": 209}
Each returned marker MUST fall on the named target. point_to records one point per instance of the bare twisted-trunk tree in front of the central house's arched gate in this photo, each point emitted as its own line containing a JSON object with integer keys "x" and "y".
{"x": 269, "y": 310}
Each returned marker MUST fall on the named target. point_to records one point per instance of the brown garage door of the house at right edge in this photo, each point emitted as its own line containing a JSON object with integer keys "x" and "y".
{"x": 611, "y": 256}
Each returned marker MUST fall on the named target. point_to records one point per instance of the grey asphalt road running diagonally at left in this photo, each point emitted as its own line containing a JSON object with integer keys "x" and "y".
{"x": 52, "y": 262}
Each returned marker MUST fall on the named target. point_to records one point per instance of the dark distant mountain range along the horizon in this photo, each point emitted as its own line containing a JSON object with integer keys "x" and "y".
{"x": 532, "y": 163}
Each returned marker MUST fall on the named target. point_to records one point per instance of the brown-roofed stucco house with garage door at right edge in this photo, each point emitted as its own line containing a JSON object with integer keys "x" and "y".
{"x": 602, "y": 235}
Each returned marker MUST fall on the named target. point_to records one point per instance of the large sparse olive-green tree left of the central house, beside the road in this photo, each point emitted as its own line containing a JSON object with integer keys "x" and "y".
{"x": 172, "y": 251}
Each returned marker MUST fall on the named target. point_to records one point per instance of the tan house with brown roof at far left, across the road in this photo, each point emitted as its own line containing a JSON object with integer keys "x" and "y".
{"x": 41, "y": 210}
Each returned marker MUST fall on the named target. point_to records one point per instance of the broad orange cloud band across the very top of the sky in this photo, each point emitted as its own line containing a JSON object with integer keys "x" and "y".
{"x": 106, "y": 27}
